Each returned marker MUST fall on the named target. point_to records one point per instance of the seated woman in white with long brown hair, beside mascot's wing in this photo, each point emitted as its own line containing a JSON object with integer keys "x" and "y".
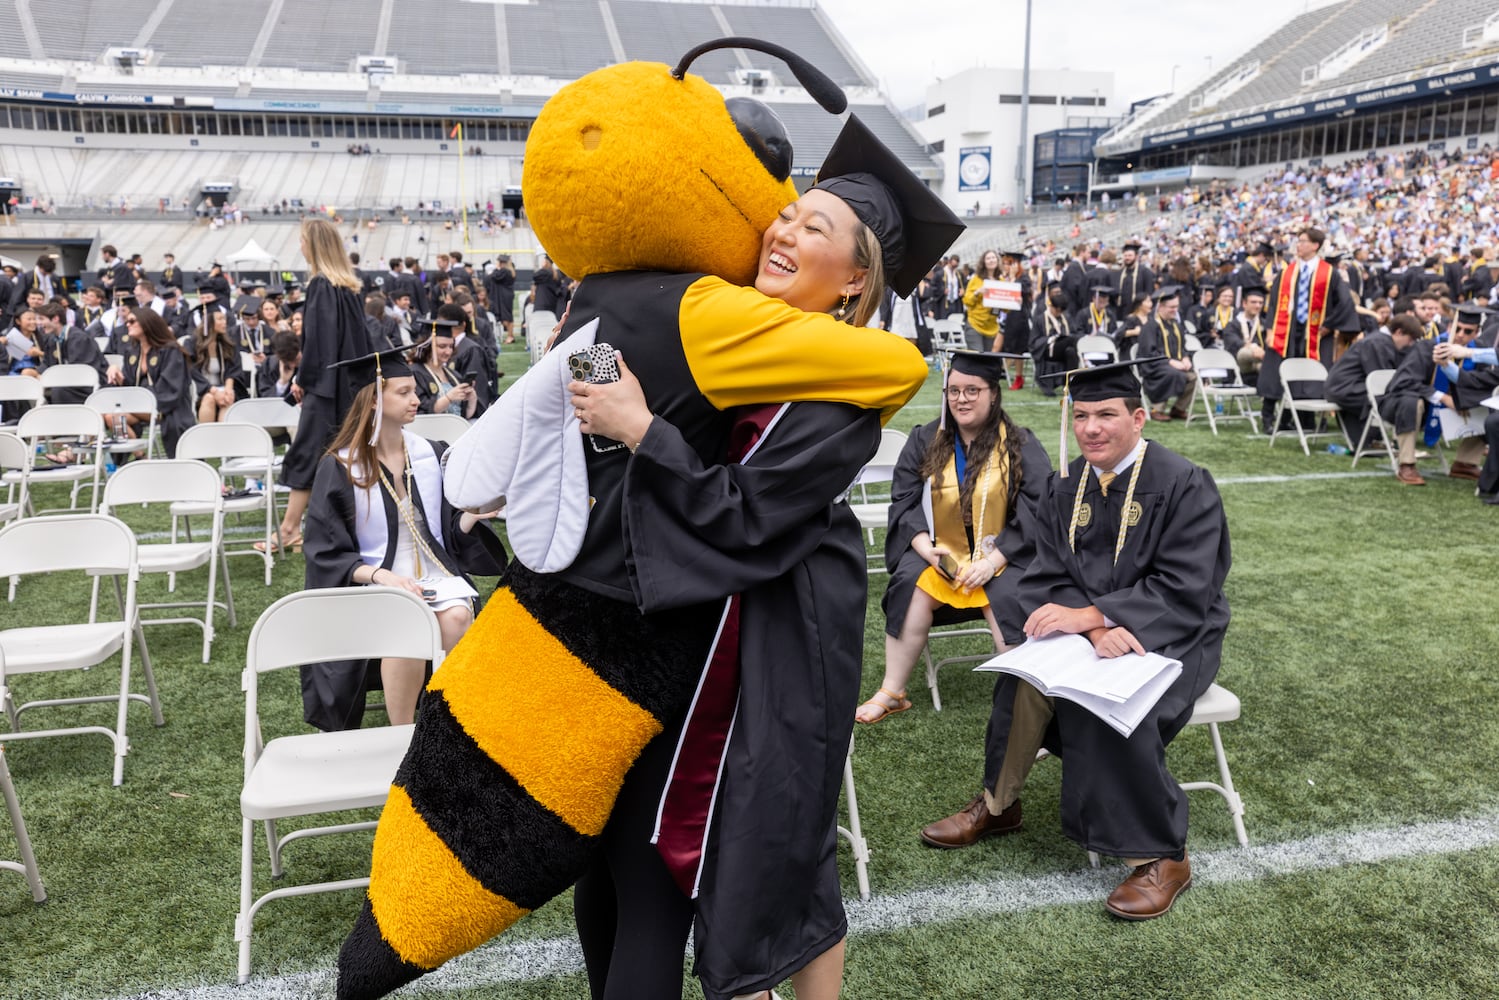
{"x": 378, "y": 516}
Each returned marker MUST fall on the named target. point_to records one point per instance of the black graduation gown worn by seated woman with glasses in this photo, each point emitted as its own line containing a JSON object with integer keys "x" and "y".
{"x": 908, "y": 519}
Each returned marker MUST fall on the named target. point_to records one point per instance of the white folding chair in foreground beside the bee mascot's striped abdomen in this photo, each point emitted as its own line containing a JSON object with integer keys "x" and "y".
{"x": 322, "y": 773}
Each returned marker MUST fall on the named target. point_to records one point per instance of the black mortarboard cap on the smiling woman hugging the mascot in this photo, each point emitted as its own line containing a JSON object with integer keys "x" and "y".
{"x": 908, "y": 218}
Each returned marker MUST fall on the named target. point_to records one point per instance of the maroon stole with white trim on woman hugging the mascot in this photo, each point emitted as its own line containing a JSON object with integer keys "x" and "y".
{"x": 692, "y": 788}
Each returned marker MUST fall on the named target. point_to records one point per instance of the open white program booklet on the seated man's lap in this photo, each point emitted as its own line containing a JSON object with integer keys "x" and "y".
{"x": 1119, "y": 690}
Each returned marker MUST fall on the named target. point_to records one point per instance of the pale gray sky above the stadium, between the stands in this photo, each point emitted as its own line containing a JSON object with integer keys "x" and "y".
{"x": 909, "y": 46}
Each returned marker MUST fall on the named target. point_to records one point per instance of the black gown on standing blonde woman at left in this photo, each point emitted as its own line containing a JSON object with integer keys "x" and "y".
{"x": 332, "y": 331}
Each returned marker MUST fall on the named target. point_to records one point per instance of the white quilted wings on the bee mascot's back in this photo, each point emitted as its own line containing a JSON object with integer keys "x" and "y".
{"x": 527, "y": 454}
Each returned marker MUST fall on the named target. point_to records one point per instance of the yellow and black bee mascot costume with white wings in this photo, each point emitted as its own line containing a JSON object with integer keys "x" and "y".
{"x": 653, "y": 190}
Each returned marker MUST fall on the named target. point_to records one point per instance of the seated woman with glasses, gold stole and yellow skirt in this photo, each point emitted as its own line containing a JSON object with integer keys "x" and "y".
{"x": 962, "y": 524}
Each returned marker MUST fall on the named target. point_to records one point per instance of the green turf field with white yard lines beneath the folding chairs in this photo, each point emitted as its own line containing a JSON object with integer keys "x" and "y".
{"x": 1363, "y": 648}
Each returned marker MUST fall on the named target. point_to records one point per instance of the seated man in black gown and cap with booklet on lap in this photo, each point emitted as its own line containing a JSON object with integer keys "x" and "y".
{"x": 1131, "y": 551}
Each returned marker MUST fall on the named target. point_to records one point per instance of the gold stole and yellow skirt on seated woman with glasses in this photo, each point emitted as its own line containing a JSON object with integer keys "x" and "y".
{"x": 990, "y": 510}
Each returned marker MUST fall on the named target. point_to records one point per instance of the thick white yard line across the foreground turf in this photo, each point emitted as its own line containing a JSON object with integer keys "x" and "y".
{"x": 512, "y": 960}
